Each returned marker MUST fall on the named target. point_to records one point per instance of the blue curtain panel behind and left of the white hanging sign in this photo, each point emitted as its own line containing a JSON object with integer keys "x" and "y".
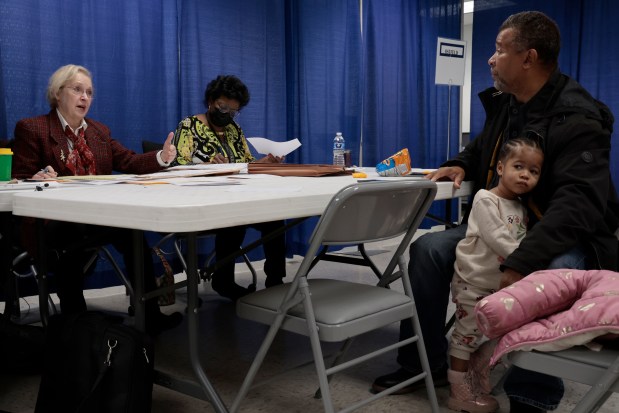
{"x": 403, "y": 107}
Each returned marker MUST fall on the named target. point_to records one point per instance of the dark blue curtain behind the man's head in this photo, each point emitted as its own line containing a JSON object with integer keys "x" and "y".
{"x": 589, "y": 35}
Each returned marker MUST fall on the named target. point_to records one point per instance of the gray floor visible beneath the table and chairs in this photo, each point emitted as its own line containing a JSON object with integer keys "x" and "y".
{"x": 228, "y": 345}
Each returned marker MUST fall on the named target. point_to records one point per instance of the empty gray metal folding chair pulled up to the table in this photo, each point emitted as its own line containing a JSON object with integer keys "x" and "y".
{"x": 334, "y": 310}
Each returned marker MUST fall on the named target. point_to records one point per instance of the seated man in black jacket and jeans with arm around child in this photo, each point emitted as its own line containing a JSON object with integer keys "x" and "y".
{"x": 574, "y": 210}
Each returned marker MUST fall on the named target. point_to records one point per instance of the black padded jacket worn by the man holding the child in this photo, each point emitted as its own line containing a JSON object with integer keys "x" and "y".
{"x": 575, "y": 200}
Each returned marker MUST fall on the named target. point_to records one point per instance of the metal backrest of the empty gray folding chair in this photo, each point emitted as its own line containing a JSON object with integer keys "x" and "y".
{"x": 374, "y": 211}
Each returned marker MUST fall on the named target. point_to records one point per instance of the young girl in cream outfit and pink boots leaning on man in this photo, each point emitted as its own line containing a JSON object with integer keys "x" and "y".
{"x": 496, "y": 226}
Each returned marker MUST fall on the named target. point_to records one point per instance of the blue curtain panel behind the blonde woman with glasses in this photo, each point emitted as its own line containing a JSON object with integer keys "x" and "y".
{"x": 128, "y": 46}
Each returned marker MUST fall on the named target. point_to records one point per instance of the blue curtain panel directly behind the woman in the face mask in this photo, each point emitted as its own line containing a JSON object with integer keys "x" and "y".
{"x": 245, "y": 38}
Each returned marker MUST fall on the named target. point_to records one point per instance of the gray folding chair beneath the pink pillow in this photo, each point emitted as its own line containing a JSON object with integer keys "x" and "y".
{"x": 598, "y": 369}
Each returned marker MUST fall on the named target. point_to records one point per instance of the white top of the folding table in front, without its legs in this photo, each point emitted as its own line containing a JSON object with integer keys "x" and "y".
{"x": 169, "y": 208}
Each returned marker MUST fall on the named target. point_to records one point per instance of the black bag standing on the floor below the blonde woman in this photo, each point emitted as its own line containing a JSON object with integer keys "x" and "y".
{"x": 95, "y": 364}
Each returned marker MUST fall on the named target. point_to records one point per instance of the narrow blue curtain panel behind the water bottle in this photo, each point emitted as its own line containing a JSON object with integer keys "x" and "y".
{"x": 324, "y": 69}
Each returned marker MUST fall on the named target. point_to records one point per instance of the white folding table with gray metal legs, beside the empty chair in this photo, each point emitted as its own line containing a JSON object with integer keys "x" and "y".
{"x": 188, "y": 210}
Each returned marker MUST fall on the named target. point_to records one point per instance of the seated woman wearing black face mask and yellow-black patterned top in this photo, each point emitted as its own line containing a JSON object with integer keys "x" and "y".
{"x": 214, "y": 137}
